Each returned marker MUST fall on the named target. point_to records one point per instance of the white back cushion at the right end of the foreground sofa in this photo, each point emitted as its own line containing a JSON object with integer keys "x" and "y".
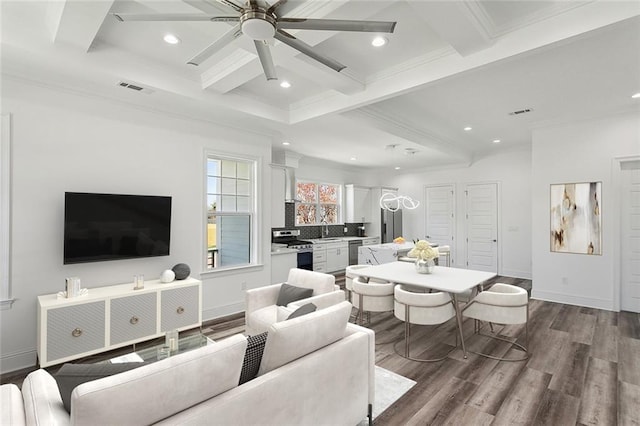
{"x": 290, "y": 340}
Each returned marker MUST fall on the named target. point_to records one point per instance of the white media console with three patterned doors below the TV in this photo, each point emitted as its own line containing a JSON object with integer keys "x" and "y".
{"x": 114, "y": 316}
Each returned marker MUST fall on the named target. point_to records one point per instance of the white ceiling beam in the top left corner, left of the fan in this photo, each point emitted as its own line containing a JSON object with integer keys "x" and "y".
{"x": 77, "y": 22}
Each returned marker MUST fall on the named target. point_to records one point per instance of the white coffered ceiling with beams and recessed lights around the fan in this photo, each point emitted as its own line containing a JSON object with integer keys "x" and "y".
{"x": 448, "y": 64}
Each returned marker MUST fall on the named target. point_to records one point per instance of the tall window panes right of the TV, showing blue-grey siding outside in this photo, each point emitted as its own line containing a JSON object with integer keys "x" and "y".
{"x": 230, "y": 211}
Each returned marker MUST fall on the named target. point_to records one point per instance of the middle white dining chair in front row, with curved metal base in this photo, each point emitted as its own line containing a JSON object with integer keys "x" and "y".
{"x": 422, "y": 309}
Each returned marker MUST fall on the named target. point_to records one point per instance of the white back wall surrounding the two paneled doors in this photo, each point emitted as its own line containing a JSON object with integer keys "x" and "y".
{"x": 511, "y": 171}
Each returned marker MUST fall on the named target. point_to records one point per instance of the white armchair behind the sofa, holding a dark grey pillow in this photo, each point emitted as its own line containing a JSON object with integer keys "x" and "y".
{"x": 262, "y": 310}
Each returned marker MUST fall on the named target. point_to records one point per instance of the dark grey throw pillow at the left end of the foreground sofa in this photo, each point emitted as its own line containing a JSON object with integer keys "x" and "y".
{"x": 71, "y": 375}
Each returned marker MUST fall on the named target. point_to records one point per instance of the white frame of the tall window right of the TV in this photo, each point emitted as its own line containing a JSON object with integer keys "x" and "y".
{"x": 255, "y": 166}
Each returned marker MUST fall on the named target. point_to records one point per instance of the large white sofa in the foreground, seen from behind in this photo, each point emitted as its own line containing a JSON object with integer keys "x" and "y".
{"x": 316, "y": 369}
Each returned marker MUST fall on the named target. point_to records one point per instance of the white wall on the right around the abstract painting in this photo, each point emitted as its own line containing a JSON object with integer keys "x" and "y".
{"x": 580, "y": 152}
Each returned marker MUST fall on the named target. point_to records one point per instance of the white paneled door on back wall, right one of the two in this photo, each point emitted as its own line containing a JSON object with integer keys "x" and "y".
{"x": 482, "y": 227}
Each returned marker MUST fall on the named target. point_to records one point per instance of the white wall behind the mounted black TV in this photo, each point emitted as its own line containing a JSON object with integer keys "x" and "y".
{"x": 64, "y": 142}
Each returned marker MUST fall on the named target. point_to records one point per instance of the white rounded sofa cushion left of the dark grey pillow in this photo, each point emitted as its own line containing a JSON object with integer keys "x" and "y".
{"x": 42, "y": 401}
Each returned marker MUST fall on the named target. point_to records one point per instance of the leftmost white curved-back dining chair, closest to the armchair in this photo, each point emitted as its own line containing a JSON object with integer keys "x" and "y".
{"x": 372, "y": 296}
